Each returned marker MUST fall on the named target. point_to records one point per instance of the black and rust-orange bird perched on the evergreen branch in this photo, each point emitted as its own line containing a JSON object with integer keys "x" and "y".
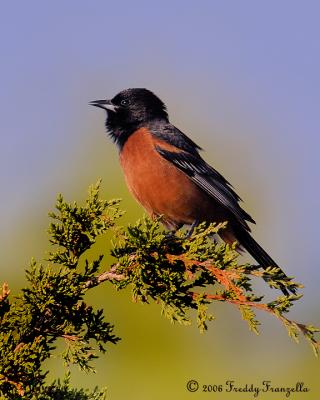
{"x": 166, "y": 174}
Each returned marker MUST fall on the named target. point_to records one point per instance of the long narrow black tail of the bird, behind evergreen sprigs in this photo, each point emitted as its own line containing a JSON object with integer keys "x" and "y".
{"x": 261, "y": 256}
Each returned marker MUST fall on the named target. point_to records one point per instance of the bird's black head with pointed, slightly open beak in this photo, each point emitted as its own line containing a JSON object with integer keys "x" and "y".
{"x": 129, "y": 110}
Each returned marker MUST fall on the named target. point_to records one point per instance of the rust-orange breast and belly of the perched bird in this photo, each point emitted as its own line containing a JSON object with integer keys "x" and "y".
{"x": 160, "y": 187}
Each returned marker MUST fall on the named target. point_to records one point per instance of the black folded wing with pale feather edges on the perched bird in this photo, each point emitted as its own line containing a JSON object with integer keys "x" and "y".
{"x": 209, "y": 180}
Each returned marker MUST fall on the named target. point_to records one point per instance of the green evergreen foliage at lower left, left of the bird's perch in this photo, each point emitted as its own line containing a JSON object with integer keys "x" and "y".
{"x": 52, "y": 306}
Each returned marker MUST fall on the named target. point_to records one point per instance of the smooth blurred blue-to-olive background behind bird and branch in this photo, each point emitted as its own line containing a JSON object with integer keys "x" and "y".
{"x": 240, "y": 78}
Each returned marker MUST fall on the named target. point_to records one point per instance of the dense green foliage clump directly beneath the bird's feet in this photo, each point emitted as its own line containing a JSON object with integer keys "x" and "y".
{"x": 164, "y": 268}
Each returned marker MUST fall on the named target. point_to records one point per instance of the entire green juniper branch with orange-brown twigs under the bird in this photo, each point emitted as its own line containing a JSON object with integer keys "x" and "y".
{"x": 184, "y": 274}
